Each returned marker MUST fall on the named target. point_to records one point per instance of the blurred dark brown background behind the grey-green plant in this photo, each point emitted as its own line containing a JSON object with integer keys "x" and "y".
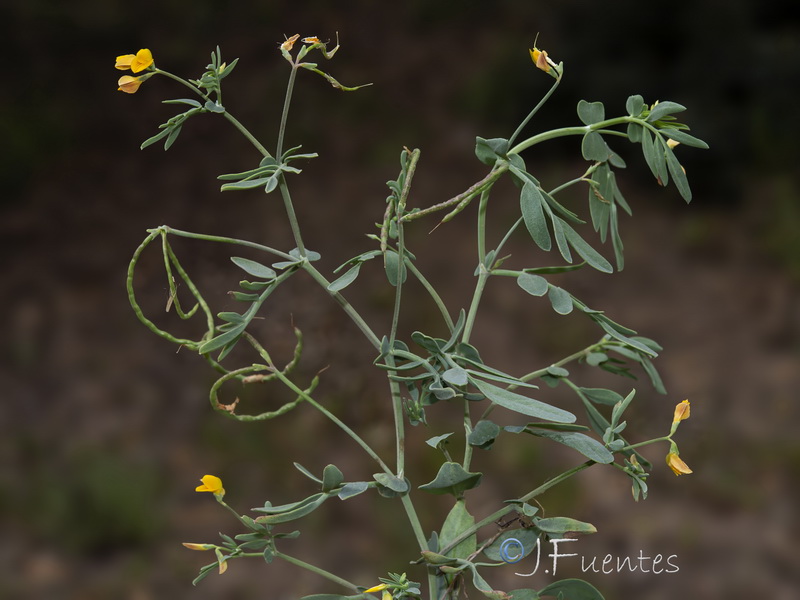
{"x": 105, "y": 429}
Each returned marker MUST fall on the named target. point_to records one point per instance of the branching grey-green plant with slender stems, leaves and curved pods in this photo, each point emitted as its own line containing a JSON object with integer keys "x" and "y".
{"x": 426, "y": 370}
